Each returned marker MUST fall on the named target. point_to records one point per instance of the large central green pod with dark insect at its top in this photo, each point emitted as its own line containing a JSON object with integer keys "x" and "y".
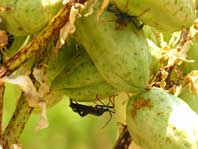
{"x": 121, "y": 56}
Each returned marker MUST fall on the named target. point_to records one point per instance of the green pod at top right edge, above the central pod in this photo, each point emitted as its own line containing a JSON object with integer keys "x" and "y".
{"x": 165, "y": 15}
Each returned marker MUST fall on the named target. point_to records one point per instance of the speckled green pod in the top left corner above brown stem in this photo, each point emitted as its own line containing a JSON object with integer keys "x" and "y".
{"x": 25, "y": 17}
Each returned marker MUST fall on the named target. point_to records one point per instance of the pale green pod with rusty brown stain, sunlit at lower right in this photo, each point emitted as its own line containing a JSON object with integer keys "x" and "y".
{"x": 158, "y": 120}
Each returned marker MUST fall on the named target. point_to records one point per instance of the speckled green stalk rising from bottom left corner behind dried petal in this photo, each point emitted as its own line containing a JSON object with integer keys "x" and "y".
{"x": 23, "y": 111}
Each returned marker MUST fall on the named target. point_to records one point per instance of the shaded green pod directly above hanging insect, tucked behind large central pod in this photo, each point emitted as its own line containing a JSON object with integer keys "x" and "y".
{"x": 81, "y": 81}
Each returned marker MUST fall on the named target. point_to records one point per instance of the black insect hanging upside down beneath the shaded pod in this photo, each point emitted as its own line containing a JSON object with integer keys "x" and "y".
{"x": 97, "y": 110}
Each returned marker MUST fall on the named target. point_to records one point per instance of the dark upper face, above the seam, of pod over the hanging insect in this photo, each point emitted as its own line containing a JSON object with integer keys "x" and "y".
{"x": 79, "y": 72}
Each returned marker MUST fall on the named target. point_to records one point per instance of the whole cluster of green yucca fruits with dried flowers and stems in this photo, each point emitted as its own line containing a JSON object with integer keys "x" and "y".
{"x": 145, "y": 48}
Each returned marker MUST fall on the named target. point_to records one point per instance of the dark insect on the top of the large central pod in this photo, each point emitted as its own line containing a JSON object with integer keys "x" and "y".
{"x": 124, "y": 19}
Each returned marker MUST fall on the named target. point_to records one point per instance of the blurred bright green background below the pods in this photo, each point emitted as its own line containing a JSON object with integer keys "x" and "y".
{"x": 67, "y": 130}
